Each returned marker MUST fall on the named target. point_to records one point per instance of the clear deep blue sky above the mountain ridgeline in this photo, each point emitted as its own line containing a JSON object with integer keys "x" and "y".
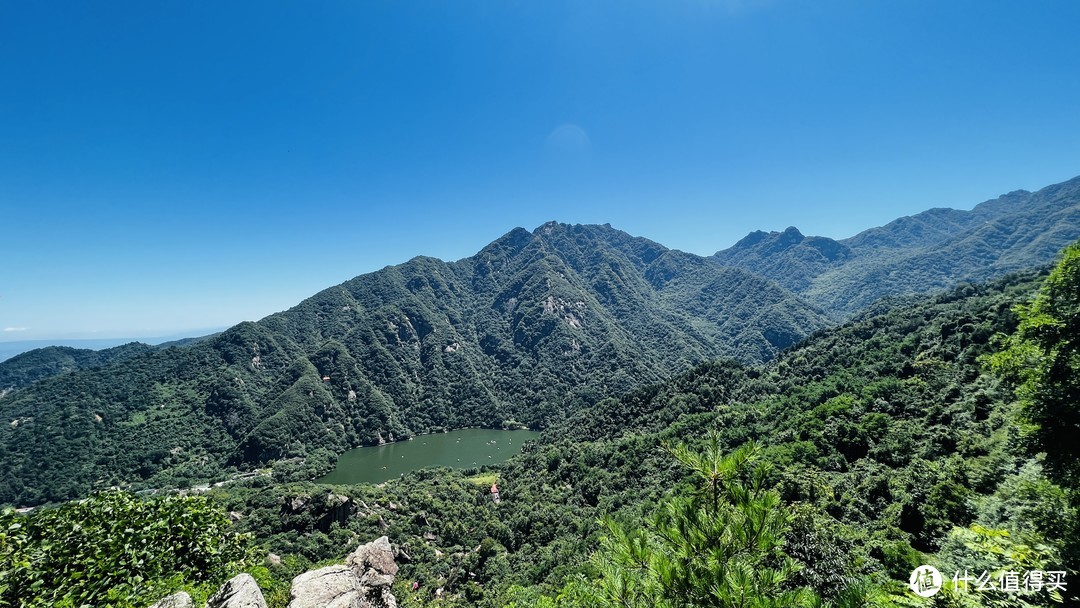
{"x": 175, "y": 166}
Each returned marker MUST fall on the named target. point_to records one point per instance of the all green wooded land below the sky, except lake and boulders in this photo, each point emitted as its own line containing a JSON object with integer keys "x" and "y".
{"x": 711, "y": 436}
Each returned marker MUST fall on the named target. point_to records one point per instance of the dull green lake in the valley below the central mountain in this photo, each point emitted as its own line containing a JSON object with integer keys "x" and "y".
{"x": 461, "y": 450}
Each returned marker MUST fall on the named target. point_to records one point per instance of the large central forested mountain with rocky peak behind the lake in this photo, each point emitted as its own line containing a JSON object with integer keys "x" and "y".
{"x": 535, "y": 326}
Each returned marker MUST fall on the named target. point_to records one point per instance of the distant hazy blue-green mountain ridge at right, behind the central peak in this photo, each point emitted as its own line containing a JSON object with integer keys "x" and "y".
{"x": 929, "y": 251}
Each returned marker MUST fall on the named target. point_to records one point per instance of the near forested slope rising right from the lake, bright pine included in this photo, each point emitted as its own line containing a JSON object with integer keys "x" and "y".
{"x": 929, "y": 430}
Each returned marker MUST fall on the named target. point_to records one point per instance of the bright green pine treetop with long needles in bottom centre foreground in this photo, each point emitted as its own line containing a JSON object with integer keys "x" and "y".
{"x": 718, "y": 547}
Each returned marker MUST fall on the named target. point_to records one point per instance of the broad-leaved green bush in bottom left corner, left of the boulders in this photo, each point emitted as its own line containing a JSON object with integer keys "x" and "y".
{"x": 114, "y": 549}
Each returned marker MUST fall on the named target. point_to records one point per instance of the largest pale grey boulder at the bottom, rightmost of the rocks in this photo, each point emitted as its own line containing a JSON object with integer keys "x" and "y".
{"x": 363, "y": 582}
